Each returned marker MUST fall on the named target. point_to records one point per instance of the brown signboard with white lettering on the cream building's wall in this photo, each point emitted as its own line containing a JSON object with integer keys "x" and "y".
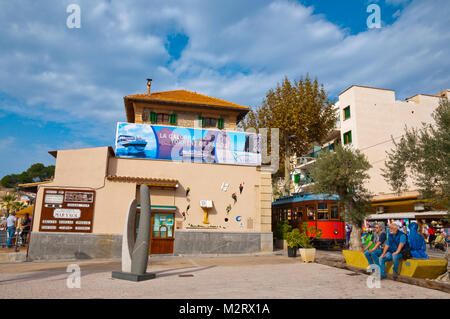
{"x": 67, "y": 210}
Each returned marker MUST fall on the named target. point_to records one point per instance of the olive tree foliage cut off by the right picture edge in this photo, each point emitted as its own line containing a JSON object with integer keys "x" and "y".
{"x": 424, "y": 155}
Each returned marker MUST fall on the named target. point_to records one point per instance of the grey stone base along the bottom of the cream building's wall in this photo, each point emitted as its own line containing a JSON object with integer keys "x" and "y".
{"x": 53, "y": 246}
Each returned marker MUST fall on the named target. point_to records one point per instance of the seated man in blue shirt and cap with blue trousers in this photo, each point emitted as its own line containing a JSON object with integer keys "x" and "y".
{"x": 392, "y": 250}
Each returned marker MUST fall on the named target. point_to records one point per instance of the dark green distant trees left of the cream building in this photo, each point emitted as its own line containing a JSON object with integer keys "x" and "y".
{"x": 35, "y": 173}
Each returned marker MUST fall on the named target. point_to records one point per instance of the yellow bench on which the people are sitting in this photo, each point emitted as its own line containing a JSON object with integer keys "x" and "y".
{"x": 416, "y": 268}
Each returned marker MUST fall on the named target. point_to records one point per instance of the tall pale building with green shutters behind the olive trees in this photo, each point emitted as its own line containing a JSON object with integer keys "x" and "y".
{"x": 368, "y": 120}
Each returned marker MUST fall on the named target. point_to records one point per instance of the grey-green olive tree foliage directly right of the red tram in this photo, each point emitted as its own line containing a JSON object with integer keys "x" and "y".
{"x": 344, "y": 173}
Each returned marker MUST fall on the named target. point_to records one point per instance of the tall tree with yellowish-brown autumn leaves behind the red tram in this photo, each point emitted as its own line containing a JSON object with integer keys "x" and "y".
{"x": 302, "y": 112}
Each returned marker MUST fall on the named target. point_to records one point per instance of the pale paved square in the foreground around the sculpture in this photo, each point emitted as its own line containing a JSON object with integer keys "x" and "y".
{"x": 259, "y": 277}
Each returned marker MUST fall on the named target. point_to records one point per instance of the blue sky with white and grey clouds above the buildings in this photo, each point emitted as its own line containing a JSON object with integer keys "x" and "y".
{"x": 63, "y": 88}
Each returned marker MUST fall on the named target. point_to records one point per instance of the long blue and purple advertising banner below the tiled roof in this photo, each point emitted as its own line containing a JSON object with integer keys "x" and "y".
{"x": 187, "y": 144}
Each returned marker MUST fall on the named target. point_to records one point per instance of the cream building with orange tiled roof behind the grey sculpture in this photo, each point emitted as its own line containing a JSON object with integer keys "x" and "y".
{"x": 81, "y": 213}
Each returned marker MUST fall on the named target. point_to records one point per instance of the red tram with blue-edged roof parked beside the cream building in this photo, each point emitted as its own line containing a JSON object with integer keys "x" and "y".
{"x": 318, "y": 211}
